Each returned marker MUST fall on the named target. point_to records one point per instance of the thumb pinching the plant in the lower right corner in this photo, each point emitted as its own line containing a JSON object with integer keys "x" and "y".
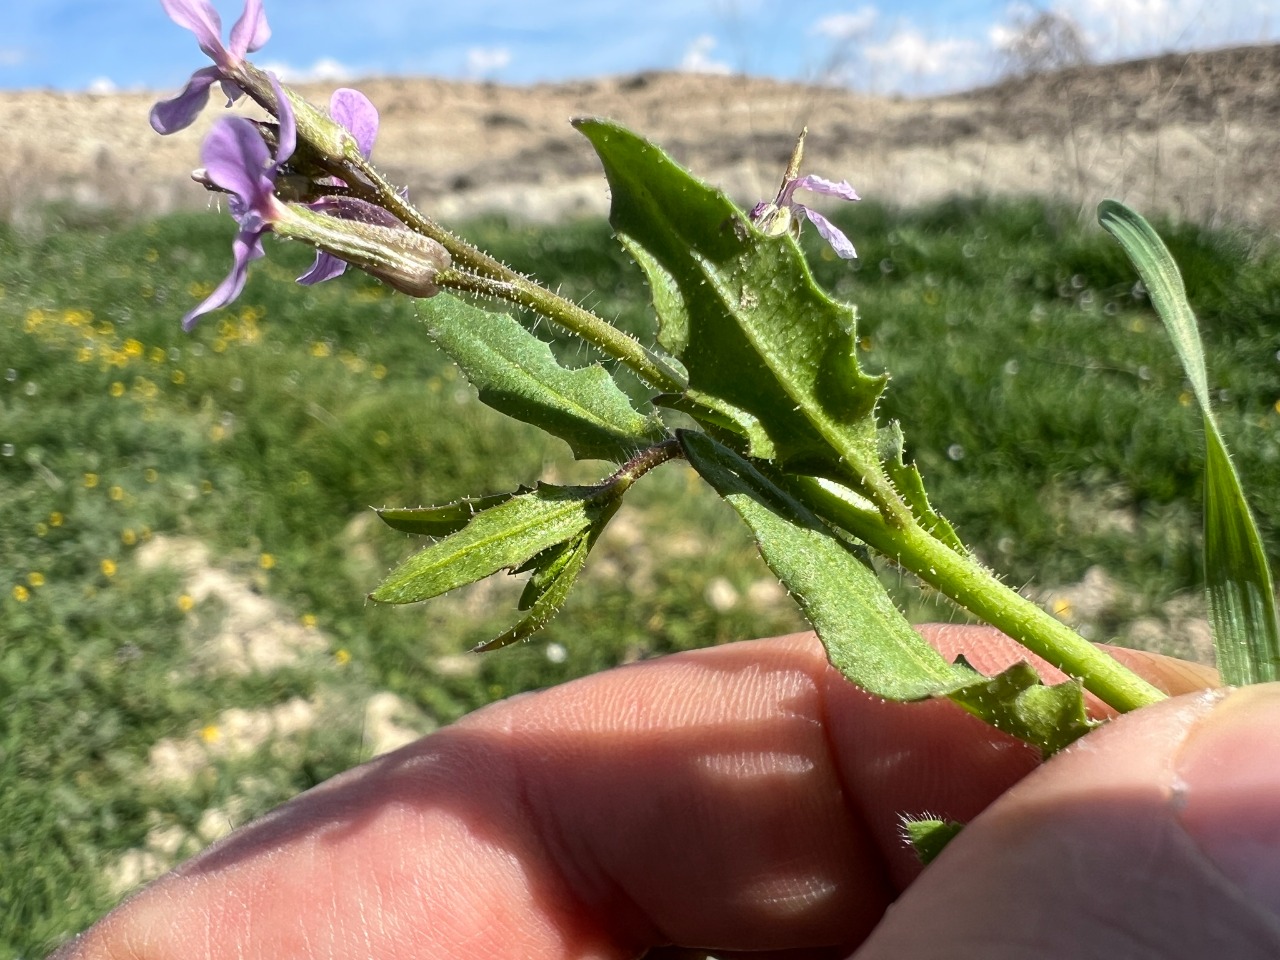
{"x": 1158, "y": 836}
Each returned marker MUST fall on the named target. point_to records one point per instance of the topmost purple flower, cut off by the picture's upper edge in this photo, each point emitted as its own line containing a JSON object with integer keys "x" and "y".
{"x": 250, "y": 34}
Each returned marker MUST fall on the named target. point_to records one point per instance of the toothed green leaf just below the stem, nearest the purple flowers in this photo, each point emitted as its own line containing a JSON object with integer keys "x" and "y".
{"x": 518, "y": 376}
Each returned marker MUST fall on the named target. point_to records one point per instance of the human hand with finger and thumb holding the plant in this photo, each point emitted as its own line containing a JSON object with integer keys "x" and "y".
{"x": 747, "y": 798}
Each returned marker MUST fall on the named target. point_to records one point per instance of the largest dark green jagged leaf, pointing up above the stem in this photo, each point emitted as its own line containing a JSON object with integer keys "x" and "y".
{"x": 753, "y": 330}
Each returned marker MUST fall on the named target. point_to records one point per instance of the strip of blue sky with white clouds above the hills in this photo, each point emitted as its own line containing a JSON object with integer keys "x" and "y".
{"x": 912, "y": 47}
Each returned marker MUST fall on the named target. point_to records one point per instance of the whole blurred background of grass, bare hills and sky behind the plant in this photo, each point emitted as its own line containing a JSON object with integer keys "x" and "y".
{"x": 186, "y": 536}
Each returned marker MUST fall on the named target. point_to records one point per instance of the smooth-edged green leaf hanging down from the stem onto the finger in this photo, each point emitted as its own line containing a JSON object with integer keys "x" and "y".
{"x": 867, "y": 638}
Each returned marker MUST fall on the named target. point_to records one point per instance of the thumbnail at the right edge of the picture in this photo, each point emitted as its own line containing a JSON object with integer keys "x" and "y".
{"x": 1231, "y": 770}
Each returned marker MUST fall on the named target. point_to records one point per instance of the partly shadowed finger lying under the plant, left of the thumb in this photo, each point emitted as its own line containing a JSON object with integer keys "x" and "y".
{"x": 714, "y": 798}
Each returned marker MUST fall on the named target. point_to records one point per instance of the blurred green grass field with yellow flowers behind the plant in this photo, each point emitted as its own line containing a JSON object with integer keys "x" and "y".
{"x": 1036, "y": 388}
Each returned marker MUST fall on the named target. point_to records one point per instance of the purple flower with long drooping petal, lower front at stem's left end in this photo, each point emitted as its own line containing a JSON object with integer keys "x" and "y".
{"x": 239, "y": 162}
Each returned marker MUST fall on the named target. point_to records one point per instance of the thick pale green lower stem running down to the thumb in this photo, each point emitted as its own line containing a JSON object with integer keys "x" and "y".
{"x": 976, "y": 589}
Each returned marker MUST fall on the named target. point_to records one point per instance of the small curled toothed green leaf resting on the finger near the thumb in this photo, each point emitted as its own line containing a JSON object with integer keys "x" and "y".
{"x": 1020, "y": 705}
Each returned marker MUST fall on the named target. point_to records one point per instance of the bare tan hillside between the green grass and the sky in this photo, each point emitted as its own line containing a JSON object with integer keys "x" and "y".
{"x": 1190, "y": 135}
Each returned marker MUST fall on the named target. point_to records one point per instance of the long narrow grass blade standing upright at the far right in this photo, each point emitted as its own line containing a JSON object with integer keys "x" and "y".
{"x": 1242, "y": 607}
